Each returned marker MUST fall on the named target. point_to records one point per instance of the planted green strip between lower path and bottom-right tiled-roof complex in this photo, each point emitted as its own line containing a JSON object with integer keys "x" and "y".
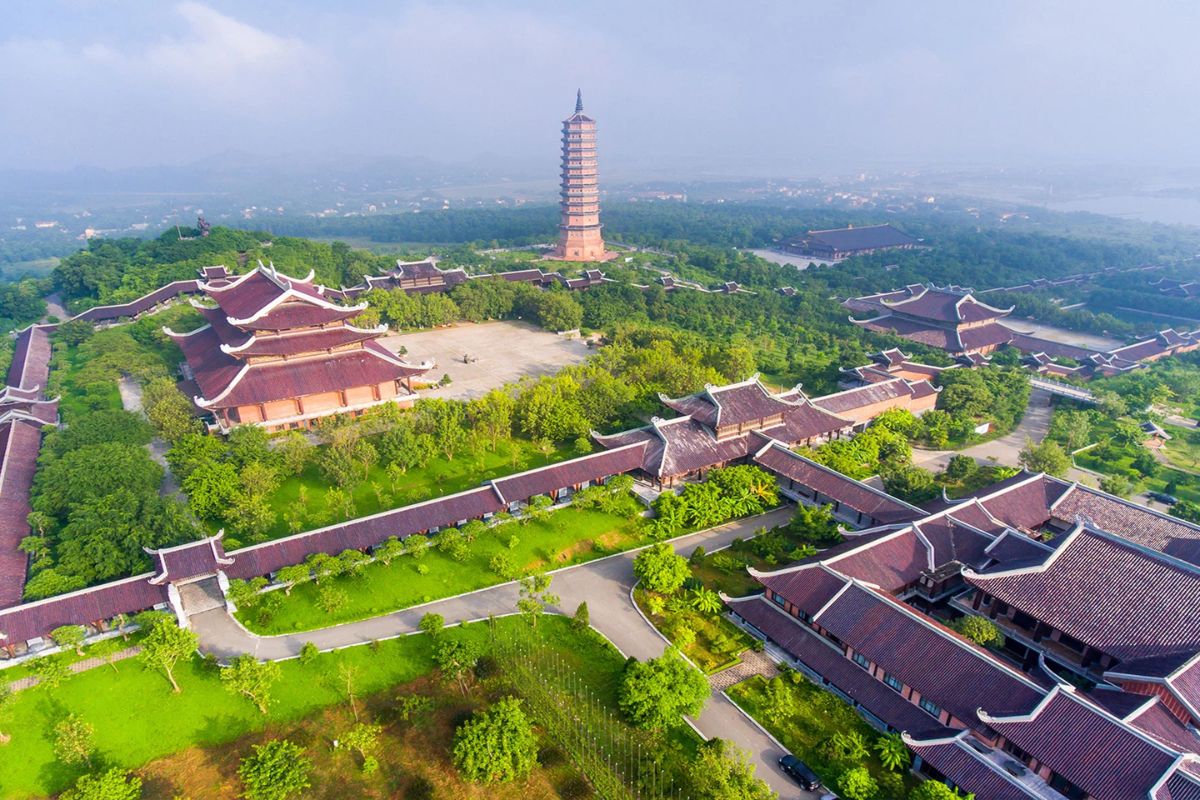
{"x": 820, "y": 715}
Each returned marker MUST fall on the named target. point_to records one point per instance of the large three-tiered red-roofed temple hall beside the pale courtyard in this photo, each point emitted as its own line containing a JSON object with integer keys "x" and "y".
{"x": 279, "y": 353}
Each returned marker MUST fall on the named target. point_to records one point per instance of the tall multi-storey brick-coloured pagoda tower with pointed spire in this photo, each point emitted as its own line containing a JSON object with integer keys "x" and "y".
{"x": 579, "y": 233}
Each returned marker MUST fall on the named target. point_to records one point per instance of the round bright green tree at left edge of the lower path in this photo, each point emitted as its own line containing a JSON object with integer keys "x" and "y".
{"x": 655, "y": 694}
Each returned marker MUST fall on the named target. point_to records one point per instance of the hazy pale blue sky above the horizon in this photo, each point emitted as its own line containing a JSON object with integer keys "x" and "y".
{"x": 805, "y": 85}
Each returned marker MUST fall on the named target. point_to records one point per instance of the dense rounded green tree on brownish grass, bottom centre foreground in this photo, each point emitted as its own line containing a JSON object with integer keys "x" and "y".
{"x": 496, "y": 745}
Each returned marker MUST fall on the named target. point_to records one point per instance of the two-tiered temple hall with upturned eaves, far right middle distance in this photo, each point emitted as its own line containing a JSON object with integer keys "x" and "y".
{"x": 946, "y": 318}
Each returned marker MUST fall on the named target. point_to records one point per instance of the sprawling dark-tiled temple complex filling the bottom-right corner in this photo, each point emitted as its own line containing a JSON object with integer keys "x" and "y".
{"x": 1095, "y": 690}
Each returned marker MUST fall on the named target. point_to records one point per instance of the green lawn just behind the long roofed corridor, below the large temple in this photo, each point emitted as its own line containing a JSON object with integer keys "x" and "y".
{"x": 439, "y": 479}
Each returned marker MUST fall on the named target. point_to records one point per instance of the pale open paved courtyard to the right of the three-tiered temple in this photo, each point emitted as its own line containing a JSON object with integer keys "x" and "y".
{"x": 500, "y": 353}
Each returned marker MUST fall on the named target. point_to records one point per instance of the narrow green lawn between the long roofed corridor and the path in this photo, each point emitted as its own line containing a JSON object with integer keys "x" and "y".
{"x": 566, "y": 537}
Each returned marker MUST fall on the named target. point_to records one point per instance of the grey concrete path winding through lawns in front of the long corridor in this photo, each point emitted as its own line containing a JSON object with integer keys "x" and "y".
{"x": 605, "y": 585}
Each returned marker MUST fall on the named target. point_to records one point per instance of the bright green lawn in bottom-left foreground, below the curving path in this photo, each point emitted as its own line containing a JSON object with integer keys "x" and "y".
{"x": 137, "y": 718}
